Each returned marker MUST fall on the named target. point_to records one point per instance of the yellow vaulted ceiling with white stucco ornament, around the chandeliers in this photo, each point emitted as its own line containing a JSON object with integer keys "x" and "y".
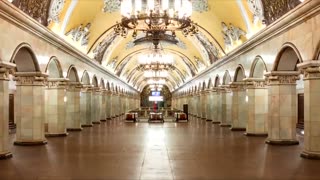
{"x": 223, "y": 25}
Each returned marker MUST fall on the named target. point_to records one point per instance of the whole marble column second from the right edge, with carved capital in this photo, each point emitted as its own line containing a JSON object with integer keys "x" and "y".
{"x": 282, "y": 100}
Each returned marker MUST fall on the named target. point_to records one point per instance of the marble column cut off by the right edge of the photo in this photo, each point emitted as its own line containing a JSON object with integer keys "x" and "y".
{"x": 311, "y": 148}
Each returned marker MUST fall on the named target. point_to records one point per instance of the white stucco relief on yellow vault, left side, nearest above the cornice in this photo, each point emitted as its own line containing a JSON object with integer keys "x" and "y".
{"x": 80, "y": 33}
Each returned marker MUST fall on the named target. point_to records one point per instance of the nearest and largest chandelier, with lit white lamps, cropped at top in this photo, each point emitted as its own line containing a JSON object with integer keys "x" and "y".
{"x": 156, "y": 17}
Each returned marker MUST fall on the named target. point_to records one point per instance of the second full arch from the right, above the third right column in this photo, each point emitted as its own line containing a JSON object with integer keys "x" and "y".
{"x": 258, "y": 68}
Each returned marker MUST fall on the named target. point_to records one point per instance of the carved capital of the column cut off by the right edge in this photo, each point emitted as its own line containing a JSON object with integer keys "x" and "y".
{"x": 310, "y": 69}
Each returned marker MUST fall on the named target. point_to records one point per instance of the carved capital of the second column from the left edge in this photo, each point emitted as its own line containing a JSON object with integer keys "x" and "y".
{"x": 31, "y": 78}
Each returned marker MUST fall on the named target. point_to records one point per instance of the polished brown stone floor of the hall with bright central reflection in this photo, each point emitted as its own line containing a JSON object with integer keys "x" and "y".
{"x": 195, "y": 150}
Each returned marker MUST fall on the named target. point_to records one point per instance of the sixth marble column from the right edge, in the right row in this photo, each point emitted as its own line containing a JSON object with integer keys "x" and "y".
{"x": 216, "y": 115}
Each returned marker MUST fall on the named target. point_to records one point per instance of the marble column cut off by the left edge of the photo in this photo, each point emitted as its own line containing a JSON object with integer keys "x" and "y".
{"x": 4, "y": 108}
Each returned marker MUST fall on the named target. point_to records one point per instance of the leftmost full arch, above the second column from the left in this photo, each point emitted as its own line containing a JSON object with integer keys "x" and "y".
{"x": 25, "y": 59}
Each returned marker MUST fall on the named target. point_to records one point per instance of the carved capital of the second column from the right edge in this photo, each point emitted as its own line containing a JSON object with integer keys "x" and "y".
{"x": 282, "y": 77}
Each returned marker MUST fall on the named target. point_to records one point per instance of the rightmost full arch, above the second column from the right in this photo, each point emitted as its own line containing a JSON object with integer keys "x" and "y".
{"x": 287, "y": 59}
